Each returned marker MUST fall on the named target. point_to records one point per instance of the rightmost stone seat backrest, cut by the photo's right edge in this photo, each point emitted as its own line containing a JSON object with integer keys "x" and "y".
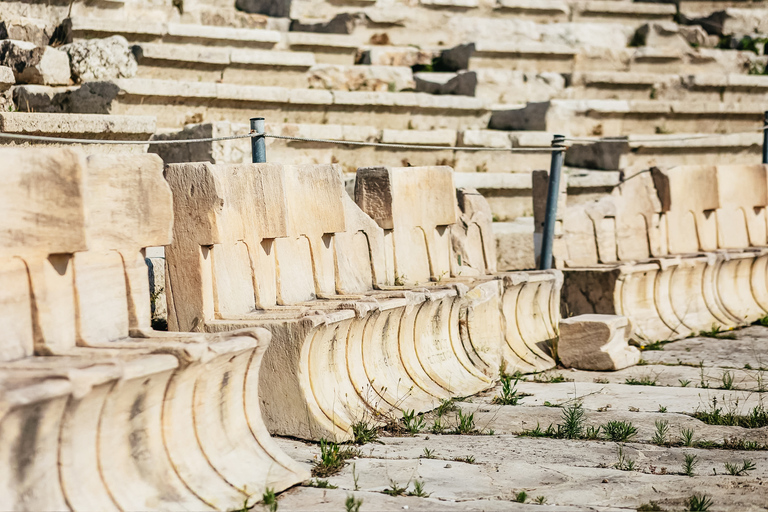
{"x": 741, "y": 218}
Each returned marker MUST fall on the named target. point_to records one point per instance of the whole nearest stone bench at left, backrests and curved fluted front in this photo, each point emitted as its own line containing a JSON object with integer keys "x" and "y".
{"x": 113, "y": 452}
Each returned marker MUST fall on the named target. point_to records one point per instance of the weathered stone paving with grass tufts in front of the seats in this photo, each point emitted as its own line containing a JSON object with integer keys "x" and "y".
{"x": 689, "y": 377}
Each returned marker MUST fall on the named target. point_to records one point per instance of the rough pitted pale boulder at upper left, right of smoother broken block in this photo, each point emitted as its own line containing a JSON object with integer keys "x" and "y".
{"x": 101, "y": 59}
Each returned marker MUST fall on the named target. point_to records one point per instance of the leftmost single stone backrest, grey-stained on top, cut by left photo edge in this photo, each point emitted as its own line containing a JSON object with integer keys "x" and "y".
{"x": 41, "y": 207}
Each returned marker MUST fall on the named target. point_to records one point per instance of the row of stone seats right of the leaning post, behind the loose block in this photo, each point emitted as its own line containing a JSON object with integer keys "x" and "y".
{"x": 677, "y": 251}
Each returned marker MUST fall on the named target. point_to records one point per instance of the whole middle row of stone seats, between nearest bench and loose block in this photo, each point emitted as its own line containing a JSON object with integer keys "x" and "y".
{"x": 386, "y": 305}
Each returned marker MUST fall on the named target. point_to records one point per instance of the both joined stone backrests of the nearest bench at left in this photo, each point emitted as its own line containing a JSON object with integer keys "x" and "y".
{"x": 110, "y": 206}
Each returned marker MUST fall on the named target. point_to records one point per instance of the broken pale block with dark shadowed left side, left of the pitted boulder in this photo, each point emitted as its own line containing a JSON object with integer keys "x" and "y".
{"x": 32, "y": 64}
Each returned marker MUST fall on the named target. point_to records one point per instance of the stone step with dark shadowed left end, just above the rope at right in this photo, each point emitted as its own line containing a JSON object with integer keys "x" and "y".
{"x": 584, "y": 118}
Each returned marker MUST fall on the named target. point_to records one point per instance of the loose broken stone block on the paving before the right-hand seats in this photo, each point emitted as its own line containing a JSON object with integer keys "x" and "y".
{"x": 596, "y": 342}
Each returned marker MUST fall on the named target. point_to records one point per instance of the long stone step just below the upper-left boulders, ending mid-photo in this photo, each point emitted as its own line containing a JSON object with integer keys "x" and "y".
{"x": 177, "y": 103}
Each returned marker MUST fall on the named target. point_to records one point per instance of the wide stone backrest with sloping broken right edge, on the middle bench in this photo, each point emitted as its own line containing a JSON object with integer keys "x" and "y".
{"x": 291, "y": 228}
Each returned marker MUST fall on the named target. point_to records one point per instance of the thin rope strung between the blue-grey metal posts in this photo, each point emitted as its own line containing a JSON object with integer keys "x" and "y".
{"x": 621, "y": 139}
